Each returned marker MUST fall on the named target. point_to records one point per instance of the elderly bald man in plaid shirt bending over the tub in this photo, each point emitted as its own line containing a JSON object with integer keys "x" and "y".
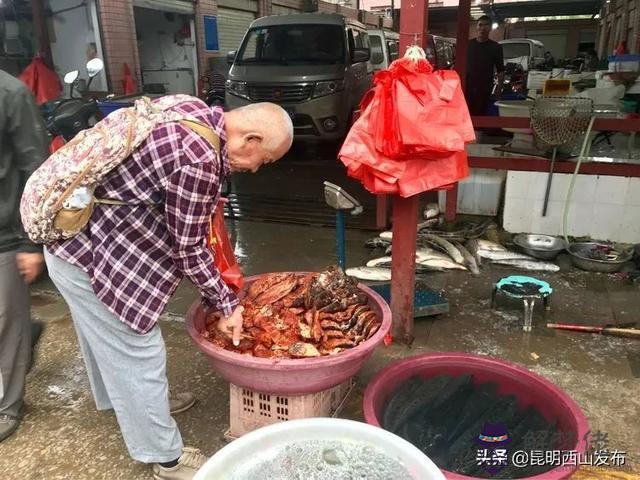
{"x": 117, "y": 275}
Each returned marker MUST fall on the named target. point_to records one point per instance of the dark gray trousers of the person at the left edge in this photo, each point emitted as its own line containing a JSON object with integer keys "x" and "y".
{"x": 15, "y": 335}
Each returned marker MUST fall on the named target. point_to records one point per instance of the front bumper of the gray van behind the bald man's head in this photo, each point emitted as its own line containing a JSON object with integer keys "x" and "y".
{"x": 322, "y": 118}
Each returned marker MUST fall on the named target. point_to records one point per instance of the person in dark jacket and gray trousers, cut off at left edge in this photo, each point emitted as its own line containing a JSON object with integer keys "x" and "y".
{"x": 23, "y": 147}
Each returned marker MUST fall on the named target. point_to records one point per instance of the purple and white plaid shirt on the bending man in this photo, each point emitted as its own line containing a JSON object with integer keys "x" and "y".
{"x": 136, "y": 255}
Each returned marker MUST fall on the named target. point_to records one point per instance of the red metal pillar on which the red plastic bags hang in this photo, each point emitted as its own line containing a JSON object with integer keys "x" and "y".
{"x": 413, "y": 26}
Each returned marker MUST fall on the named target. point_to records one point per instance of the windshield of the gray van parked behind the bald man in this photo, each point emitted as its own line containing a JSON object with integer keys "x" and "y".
{"x": 294, "y": 44}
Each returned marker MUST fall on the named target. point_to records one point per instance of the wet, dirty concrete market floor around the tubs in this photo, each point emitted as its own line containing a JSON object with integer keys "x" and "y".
{"x": 63, "y": 437}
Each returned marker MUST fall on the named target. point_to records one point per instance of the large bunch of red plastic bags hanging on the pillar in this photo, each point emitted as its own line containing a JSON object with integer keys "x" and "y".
{"x": 412, "y": 133}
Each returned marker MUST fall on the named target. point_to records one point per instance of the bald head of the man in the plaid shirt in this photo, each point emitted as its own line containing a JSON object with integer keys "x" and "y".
{"x": 258, "y": 133}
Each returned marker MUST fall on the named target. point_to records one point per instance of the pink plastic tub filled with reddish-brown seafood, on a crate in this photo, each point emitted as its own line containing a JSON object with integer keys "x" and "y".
{"x": 289, "y": 376}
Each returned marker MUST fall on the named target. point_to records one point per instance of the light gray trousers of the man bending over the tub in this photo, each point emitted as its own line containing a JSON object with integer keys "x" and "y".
{"x": 127, "y": 371}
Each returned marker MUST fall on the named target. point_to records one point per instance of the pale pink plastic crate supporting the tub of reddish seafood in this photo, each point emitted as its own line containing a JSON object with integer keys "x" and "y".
{"x": 250, "y": 410}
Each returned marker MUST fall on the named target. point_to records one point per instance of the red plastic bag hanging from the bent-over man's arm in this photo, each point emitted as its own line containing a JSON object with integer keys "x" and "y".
{"x": 223, "y": 257}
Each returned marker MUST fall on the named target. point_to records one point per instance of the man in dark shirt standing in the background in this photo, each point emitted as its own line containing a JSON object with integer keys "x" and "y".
{"x": 483, "y": 61}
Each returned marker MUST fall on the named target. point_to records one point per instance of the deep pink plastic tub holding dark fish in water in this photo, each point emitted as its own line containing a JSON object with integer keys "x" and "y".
{"x": 530, "y": 389}
